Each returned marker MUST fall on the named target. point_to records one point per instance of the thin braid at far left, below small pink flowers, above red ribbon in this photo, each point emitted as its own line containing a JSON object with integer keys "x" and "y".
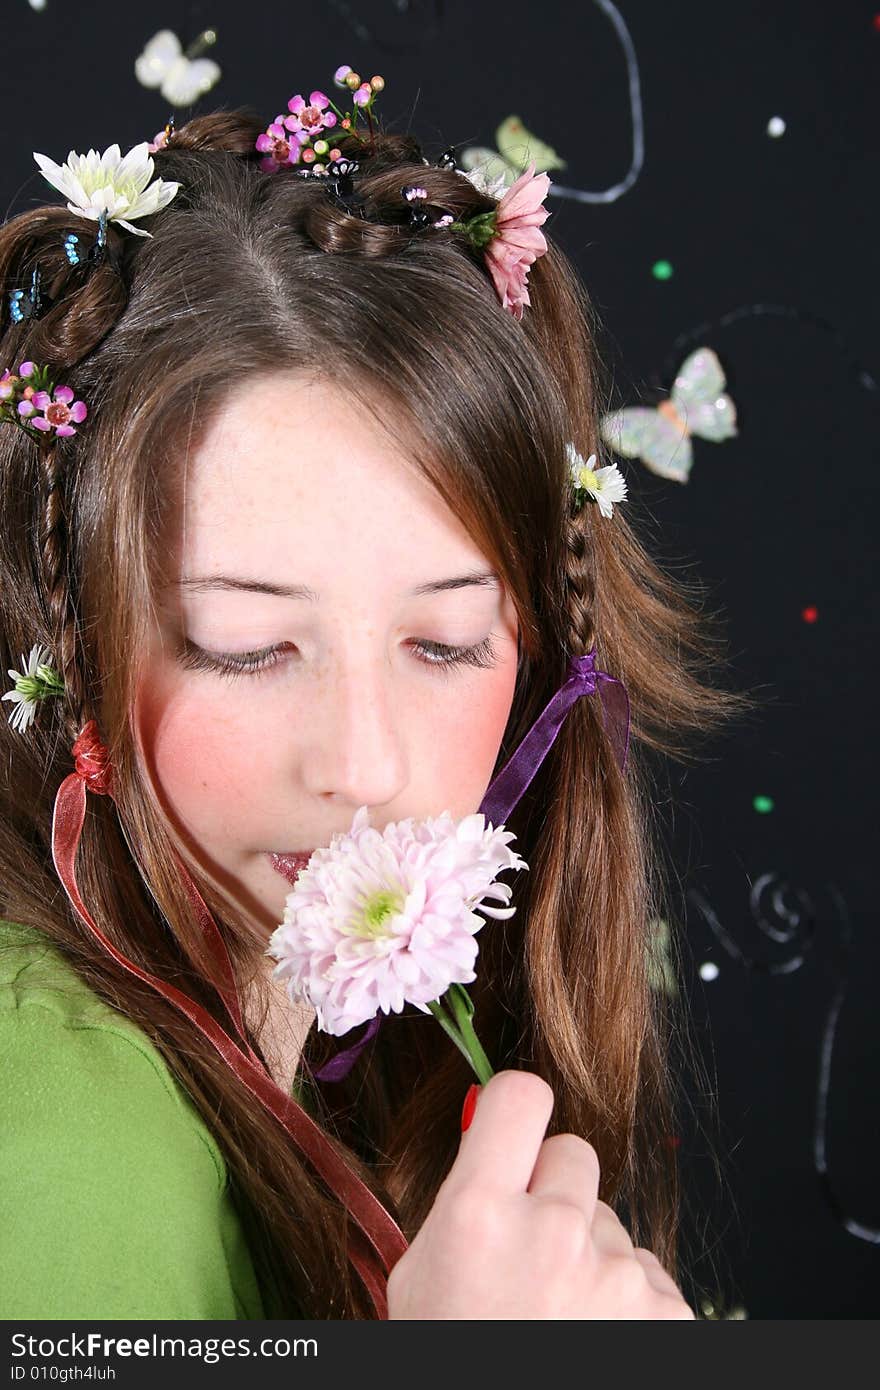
{"x": 60, "y": 615}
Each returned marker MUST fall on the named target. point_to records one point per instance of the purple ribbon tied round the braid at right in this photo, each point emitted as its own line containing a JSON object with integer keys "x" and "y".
{"x": 518, "y": 774}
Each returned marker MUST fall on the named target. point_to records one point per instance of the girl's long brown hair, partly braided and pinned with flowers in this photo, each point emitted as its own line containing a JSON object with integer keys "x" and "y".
{"x": 254, "y": 273}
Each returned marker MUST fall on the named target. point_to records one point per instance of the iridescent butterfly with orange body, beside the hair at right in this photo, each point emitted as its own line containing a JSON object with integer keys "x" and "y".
{"x": 661, "y": 436}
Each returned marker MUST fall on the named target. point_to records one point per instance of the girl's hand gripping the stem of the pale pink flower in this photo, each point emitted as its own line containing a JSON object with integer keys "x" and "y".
{"x": 516, "y": 1229}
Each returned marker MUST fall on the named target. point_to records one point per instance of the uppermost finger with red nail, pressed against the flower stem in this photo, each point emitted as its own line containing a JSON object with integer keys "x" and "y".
{"x": 501, "y": 1147}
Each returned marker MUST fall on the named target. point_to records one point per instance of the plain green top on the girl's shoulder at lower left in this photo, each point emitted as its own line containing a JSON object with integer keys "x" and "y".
{"x": 115, "y": 1197}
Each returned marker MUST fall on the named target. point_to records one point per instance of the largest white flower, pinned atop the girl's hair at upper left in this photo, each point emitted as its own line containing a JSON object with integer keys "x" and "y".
{"x": 112, "y": 184}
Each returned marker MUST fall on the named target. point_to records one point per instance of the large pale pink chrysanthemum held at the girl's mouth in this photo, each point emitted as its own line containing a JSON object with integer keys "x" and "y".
{"x": 389, "y": 918}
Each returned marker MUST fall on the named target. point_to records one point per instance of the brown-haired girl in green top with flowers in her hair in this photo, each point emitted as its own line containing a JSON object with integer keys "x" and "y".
{"x": 315, "y": 547}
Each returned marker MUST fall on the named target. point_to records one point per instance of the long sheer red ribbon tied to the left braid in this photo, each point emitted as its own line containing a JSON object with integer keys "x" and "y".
{"x": 377, "y": 1242}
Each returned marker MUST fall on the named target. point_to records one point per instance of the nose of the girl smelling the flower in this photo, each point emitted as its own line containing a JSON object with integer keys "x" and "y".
{"x": 358, "y": 753}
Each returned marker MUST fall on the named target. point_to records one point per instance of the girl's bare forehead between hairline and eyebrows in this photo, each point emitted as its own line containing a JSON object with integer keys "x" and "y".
{"x": 297, "y": 479}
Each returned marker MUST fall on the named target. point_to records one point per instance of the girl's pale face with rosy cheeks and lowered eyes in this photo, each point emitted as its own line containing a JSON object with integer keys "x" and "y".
{"x": 266, "y": 719}
